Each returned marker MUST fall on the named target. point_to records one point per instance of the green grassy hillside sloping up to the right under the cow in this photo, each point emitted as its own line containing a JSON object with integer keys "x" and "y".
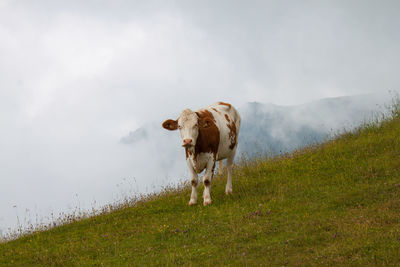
{"x": 333, "y": 204}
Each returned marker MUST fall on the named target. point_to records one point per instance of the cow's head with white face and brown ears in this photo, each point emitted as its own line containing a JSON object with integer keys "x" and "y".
{"x": 189, "y": 124}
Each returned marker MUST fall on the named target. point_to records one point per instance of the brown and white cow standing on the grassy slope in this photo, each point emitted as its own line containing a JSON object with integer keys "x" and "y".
{"x": 208, "y": 135}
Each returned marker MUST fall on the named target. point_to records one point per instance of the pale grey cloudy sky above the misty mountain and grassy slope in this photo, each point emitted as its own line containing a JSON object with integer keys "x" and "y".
{"x": 76, "y": 76}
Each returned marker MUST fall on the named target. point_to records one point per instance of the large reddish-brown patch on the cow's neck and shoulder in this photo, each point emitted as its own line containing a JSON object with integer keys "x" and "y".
{"x": 208, "y": 138}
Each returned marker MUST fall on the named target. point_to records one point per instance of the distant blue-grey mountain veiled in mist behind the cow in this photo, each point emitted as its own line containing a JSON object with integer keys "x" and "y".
{"x": 273, "y": 129}
